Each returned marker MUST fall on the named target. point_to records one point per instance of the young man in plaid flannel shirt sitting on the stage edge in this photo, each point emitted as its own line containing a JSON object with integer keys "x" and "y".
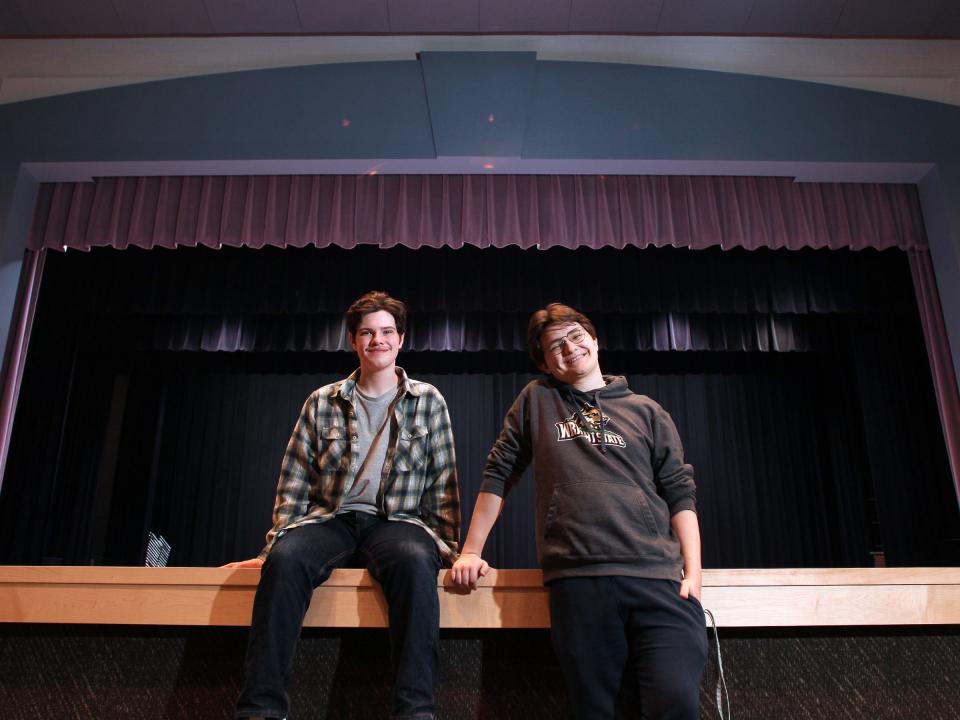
{"x": 369, "y": 475}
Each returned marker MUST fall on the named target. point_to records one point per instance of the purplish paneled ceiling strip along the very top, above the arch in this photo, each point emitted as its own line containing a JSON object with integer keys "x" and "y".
{"x": 825, "y": 18}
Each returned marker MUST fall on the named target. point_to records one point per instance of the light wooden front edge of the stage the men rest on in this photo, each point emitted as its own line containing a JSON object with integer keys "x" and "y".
{"x": 505, "y": 598}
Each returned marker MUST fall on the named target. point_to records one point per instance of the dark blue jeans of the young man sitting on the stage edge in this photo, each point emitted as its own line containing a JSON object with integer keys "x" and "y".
{"x": 404, "y": 560}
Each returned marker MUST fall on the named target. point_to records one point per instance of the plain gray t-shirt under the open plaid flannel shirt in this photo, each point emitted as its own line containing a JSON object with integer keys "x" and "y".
{"x": 371, "y": 415}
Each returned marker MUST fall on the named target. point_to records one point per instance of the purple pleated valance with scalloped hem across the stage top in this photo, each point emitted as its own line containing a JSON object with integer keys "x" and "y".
{"x": 527, "y": 211}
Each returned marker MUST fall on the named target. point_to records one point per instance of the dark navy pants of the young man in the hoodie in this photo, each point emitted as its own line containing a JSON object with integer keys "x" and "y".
{"x": 599, "y": 624}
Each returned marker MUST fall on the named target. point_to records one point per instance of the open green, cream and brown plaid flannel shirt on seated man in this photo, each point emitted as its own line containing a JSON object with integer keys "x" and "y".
{"x": 419, "y": 480}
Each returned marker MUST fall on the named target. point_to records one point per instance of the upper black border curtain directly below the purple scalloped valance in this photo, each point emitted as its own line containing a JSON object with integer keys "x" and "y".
{"x": 307, "y": 281}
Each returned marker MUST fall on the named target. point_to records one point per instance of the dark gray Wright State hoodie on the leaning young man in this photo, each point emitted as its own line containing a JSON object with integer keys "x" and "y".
{"x": 609, "y": 475}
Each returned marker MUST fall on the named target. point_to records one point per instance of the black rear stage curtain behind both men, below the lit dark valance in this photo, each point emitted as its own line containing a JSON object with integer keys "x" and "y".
{"x": 787, "y": 468}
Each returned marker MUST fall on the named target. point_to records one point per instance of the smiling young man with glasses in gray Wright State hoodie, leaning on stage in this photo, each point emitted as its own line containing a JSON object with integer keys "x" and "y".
{"x": 618, "y": 537}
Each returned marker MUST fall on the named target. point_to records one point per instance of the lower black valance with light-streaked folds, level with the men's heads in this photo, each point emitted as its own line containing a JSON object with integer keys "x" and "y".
{"x": 461, "y": 332}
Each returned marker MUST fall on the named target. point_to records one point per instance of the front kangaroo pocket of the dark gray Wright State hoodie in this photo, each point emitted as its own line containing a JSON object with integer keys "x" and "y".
{"x": 599, "y": 520}
